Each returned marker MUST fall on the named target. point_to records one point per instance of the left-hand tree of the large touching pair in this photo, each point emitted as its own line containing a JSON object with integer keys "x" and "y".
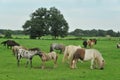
{"x": 37, "y": 26}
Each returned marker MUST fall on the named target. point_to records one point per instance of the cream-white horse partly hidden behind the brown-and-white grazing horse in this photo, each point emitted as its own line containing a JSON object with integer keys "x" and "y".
{"x": 68, "y": 53}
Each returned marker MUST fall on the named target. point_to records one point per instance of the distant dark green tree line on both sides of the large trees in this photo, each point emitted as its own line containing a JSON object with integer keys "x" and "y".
{"x": 76, "y": 32}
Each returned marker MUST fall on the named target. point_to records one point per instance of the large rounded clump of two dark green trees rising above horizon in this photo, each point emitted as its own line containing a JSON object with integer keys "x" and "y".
{"x": 44, "y": 22}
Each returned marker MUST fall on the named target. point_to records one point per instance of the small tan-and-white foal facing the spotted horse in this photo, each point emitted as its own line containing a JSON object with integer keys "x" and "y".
{"x": 50, "y": 56}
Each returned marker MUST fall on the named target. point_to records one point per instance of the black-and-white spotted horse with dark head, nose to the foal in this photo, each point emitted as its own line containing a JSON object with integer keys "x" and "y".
{"x": 28, "y": 54}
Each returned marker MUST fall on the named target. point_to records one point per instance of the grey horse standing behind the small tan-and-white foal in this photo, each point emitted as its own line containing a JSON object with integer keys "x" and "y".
{"x": 55, "y": 46}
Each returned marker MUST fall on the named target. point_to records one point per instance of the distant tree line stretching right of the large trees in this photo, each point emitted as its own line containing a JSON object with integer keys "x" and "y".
{"x": 94, "y": 33}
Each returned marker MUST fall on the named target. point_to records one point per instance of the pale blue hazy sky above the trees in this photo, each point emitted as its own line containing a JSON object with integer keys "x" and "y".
{"x": 80, "y": 14}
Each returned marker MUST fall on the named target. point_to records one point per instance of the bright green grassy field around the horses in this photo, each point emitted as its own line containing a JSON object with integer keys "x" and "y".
{"x": 10, "y": 71}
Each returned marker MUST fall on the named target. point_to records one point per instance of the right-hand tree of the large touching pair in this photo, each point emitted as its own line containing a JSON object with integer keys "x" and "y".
{"x": 59, "y": 26}
